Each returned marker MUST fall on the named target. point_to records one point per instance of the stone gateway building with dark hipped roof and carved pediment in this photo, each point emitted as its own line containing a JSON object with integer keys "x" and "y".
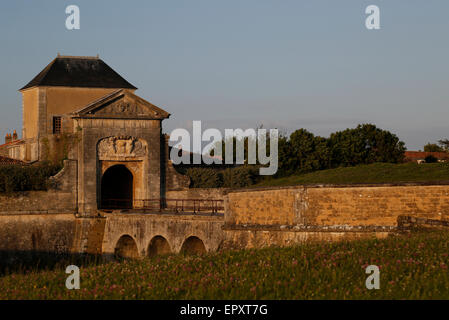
{"x": 80, "y": 109}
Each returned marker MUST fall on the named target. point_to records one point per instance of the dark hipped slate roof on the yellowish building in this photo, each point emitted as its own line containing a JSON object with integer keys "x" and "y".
{"x": 85, "y": 72}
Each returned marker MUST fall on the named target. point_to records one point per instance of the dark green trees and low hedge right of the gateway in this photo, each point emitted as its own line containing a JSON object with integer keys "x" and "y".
{"x": 303, "y": 152}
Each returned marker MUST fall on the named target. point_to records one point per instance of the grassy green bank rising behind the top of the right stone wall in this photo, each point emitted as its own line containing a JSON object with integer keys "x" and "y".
{"x": 372, "y": 173}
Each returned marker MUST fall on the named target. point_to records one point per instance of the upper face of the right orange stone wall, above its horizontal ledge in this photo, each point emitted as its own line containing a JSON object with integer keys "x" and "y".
{"x": 336, "y": 205}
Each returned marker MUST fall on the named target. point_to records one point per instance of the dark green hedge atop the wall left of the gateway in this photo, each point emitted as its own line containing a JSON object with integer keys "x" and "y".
{"x": 14, "y": 178}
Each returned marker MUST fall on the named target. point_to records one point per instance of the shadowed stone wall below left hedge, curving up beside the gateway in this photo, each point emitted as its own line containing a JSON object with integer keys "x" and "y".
{"x": 60, "y": 198}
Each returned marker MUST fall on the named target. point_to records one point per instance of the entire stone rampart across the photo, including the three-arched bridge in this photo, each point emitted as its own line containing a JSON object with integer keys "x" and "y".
{"x": 253, "y": 218}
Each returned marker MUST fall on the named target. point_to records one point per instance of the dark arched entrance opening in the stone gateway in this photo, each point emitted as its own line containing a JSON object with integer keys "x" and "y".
{"x": 117, "y": 188}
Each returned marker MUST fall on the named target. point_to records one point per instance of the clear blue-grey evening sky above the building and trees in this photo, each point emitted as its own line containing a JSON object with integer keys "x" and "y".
{"x": 240, "y": 63}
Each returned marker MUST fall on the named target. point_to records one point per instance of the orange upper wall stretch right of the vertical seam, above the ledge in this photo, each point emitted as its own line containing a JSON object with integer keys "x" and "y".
{"x": 379, "y": 206}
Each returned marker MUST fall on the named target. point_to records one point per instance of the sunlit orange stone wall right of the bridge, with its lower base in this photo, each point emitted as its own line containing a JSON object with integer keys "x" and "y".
{"x": 286, "y": 215}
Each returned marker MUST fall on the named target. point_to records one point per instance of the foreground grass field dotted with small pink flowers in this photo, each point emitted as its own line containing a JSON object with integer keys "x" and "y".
{"x": 411, "y": 266}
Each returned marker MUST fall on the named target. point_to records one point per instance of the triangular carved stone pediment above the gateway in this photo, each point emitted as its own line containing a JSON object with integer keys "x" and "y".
{"x": 122, "y": 104}
